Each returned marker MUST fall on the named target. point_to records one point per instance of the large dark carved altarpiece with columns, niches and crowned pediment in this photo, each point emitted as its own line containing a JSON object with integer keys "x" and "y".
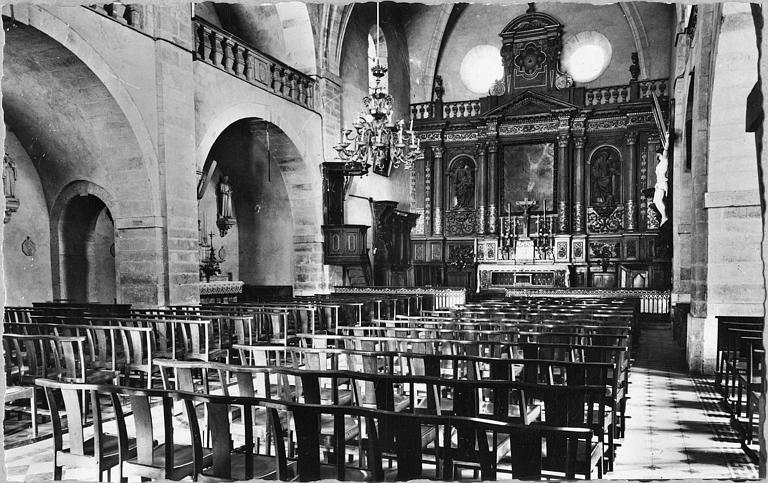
{"x": 539, "y": 184}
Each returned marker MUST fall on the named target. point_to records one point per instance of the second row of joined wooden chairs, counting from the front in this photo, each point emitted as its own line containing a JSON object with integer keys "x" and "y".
{"x": 515, "y": 402}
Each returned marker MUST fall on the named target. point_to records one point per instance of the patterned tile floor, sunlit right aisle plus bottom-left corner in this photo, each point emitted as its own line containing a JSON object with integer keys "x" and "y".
{"x": 677, "y": 429}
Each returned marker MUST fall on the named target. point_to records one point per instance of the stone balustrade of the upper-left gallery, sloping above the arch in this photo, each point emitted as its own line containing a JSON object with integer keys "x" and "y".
{"x": 227, "y": 52}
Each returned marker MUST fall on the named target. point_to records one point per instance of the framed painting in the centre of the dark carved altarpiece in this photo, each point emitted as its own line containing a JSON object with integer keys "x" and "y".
{"x": 529, "y": 173}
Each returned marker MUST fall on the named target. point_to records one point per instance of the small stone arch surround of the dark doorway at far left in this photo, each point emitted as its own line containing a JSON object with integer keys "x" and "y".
{"x": 80, "y": 188}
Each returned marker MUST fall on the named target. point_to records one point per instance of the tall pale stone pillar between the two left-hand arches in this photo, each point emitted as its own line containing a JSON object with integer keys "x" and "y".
{"x": 176, "y": 150}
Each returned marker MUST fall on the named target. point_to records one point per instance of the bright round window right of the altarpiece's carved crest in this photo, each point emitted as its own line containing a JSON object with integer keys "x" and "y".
{"x": 586, "y": 55}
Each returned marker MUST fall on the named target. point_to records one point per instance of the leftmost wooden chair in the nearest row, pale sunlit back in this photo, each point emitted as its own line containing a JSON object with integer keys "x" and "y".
{"x": 101, "y": 451}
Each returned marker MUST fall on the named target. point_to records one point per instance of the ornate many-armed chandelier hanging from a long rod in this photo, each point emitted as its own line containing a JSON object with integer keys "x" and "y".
{"x": 376, "y": 142}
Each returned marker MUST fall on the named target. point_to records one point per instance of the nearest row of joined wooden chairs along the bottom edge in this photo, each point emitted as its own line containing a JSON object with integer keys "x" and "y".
{"x": 236, "y": 424}
